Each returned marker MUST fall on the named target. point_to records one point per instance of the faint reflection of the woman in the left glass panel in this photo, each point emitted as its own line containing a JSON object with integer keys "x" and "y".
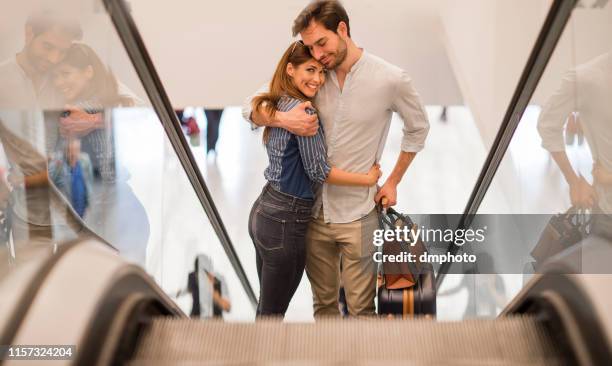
{"x": 90, "y": 92}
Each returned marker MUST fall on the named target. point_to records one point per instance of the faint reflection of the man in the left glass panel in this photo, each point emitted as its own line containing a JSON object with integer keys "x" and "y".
{"x": 38, "y": 213}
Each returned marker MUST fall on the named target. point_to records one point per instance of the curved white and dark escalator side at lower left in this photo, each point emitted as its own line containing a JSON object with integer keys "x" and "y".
{"x": 77, "y": 302}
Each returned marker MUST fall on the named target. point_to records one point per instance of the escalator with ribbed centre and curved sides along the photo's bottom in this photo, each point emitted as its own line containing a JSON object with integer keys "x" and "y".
{"x": 122, "y": 316}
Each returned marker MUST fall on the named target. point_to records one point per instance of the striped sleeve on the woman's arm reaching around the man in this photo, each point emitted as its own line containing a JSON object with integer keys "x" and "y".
{"x": 314, "y": 156}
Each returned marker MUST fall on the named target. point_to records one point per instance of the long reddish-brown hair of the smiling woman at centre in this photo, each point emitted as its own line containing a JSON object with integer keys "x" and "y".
{"x": 281, "y": 83}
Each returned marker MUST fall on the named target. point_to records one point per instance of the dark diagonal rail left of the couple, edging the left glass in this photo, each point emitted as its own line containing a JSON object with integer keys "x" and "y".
{"x": 136, "y": 50}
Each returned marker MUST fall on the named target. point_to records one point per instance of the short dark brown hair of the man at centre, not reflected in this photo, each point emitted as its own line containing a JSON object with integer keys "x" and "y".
{"x": 327, "y": 12}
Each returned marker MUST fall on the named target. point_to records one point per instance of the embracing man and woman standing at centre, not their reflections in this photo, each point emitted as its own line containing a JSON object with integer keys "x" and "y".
{"x": 317, "y": 208}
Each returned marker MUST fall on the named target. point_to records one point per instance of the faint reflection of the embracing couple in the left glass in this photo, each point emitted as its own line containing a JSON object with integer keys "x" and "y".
{"x": 54, "y": 72}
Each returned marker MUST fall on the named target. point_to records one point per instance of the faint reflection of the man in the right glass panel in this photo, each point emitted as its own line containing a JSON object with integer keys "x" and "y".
{"x": 585, "y": 91}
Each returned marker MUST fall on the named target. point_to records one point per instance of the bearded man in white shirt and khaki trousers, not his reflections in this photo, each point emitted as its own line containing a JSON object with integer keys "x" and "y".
{"x": 355, "y": 106}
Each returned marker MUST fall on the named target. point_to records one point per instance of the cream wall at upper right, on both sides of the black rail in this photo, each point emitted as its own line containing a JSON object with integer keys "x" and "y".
{"x": 488, "y": 43}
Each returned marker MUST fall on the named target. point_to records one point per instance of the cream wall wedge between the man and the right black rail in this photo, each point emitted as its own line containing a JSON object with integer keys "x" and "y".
{"x": 489, "y": 43}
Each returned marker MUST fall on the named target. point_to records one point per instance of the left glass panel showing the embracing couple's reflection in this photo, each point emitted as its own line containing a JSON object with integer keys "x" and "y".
{"x": 84, "y": 152}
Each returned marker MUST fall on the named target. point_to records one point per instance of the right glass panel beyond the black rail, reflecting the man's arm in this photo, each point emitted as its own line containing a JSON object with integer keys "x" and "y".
{"x": 561, "y": 154}
